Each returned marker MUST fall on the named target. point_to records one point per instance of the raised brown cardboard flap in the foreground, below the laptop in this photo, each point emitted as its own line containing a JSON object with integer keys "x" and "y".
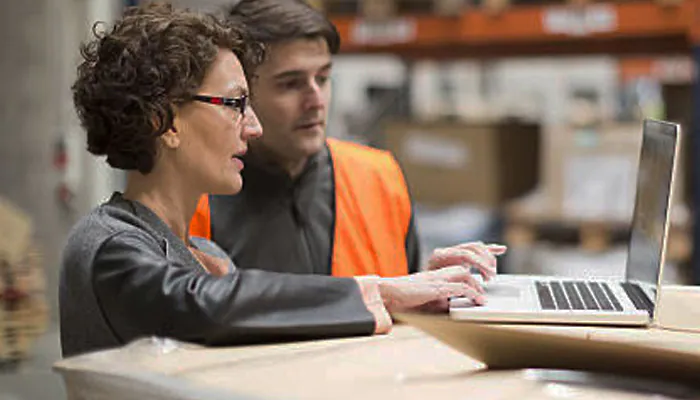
{"x": 664, "y": 356}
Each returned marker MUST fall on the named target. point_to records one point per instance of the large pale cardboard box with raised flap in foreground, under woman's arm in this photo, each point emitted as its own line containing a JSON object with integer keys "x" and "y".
{"x": 404, "y": 365}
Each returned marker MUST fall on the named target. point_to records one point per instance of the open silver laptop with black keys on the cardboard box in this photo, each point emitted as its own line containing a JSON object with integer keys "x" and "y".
{"x": 544, "y": 299}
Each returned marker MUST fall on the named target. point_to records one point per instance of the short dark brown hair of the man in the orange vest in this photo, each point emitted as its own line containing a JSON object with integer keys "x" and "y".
{"x": 273, "y": 21}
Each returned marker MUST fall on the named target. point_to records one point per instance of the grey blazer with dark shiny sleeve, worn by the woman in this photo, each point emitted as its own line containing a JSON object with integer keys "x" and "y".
{"x": 126, "y": 275}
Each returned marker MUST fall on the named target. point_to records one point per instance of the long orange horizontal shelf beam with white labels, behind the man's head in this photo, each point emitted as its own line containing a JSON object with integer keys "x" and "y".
{"x": 625, "y": 27}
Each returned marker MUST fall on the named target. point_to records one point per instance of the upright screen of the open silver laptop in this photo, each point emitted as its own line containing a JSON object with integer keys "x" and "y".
{"x": 647, "y": 235}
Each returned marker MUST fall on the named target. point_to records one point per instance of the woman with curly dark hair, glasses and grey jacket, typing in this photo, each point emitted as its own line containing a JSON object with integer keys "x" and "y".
{"x": 164, "y": 96}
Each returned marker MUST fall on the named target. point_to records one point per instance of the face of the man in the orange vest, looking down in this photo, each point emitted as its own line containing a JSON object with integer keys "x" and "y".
{"x": 290, "y": 96}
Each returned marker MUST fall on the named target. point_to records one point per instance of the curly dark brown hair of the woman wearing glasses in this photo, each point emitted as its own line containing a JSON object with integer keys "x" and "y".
{"x": 155, "y": 57}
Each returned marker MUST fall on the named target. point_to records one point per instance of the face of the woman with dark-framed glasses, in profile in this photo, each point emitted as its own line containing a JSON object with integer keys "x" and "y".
{"x": 213, "y": 137}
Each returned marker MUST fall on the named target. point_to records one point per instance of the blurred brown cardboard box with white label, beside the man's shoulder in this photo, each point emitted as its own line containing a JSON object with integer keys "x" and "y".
{"x": 450, "y": 162}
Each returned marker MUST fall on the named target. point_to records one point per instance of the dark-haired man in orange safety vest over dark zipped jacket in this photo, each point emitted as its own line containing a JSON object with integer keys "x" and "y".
{"x": 312, "y": 204}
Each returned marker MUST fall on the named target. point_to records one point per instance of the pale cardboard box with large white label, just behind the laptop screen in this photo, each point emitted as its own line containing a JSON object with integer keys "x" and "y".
{"x": 591, "y": 174}
